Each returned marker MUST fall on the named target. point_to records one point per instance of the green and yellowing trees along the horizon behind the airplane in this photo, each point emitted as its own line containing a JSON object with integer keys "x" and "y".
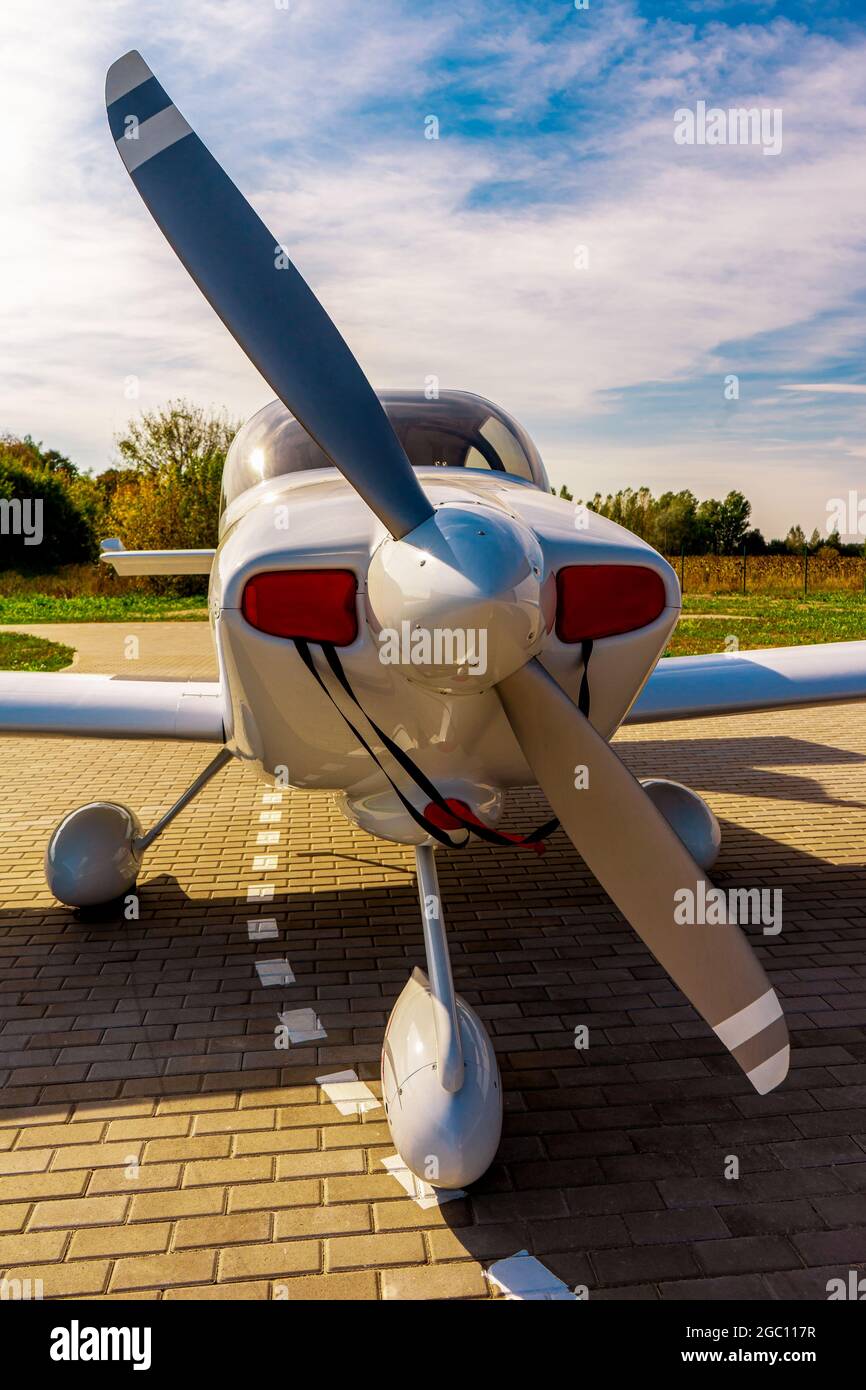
{"x": 162, "y": 491}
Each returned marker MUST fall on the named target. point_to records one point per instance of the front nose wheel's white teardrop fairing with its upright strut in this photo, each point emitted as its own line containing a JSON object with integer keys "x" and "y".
{"x": 440, "y": 1075}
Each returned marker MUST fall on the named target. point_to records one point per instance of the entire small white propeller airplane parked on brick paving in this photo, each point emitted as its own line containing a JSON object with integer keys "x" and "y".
{"x": 407, "y": 618}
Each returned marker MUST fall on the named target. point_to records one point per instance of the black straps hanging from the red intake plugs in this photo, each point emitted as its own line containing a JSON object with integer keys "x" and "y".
{"x": 448, "y": 808}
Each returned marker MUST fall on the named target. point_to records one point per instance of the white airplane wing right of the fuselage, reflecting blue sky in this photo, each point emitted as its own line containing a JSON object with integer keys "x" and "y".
{"x": 693, "y": 687}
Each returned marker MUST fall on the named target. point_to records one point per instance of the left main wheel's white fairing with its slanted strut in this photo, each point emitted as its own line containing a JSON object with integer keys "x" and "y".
{"x": 95, "y": 854}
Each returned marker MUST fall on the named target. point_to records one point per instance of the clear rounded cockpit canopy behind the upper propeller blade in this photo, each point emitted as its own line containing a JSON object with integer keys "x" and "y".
{"x": 458, "y": 430}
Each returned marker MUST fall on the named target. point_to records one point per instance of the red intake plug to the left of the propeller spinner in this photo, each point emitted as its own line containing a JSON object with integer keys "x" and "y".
{"x": 315, "y": 605}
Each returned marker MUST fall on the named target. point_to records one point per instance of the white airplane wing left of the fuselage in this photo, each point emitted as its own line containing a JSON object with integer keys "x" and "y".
{"x": 105, "y": 707}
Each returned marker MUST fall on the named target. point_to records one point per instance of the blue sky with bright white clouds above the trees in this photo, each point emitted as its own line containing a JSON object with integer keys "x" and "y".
{"x": 655, "y": 311}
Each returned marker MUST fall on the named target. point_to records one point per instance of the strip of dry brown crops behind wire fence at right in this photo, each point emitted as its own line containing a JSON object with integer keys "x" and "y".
{"x": 771, "y": 573}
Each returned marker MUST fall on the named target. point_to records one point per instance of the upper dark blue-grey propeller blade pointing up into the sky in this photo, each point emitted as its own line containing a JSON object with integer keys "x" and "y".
{"x": 265, "y": 304}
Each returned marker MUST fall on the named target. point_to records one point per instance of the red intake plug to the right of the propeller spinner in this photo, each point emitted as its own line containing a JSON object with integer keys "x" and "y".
{"x": 604, "y": 600}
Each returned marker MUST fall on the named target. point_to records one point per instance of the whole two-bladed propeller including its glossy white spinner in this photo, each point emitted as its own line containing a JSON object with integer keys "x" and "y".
{"x": 277, "y": 320}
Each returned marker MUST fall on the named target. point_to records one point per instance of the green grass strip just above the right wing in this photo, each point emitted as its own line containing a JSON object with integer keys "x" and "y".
{"x": 711, "y": 622}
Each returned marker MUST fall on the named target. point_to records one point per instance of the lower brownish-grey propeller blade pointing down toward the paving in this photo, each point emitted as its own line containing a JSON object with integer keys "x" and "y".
{"x": 642, "y": 864}
